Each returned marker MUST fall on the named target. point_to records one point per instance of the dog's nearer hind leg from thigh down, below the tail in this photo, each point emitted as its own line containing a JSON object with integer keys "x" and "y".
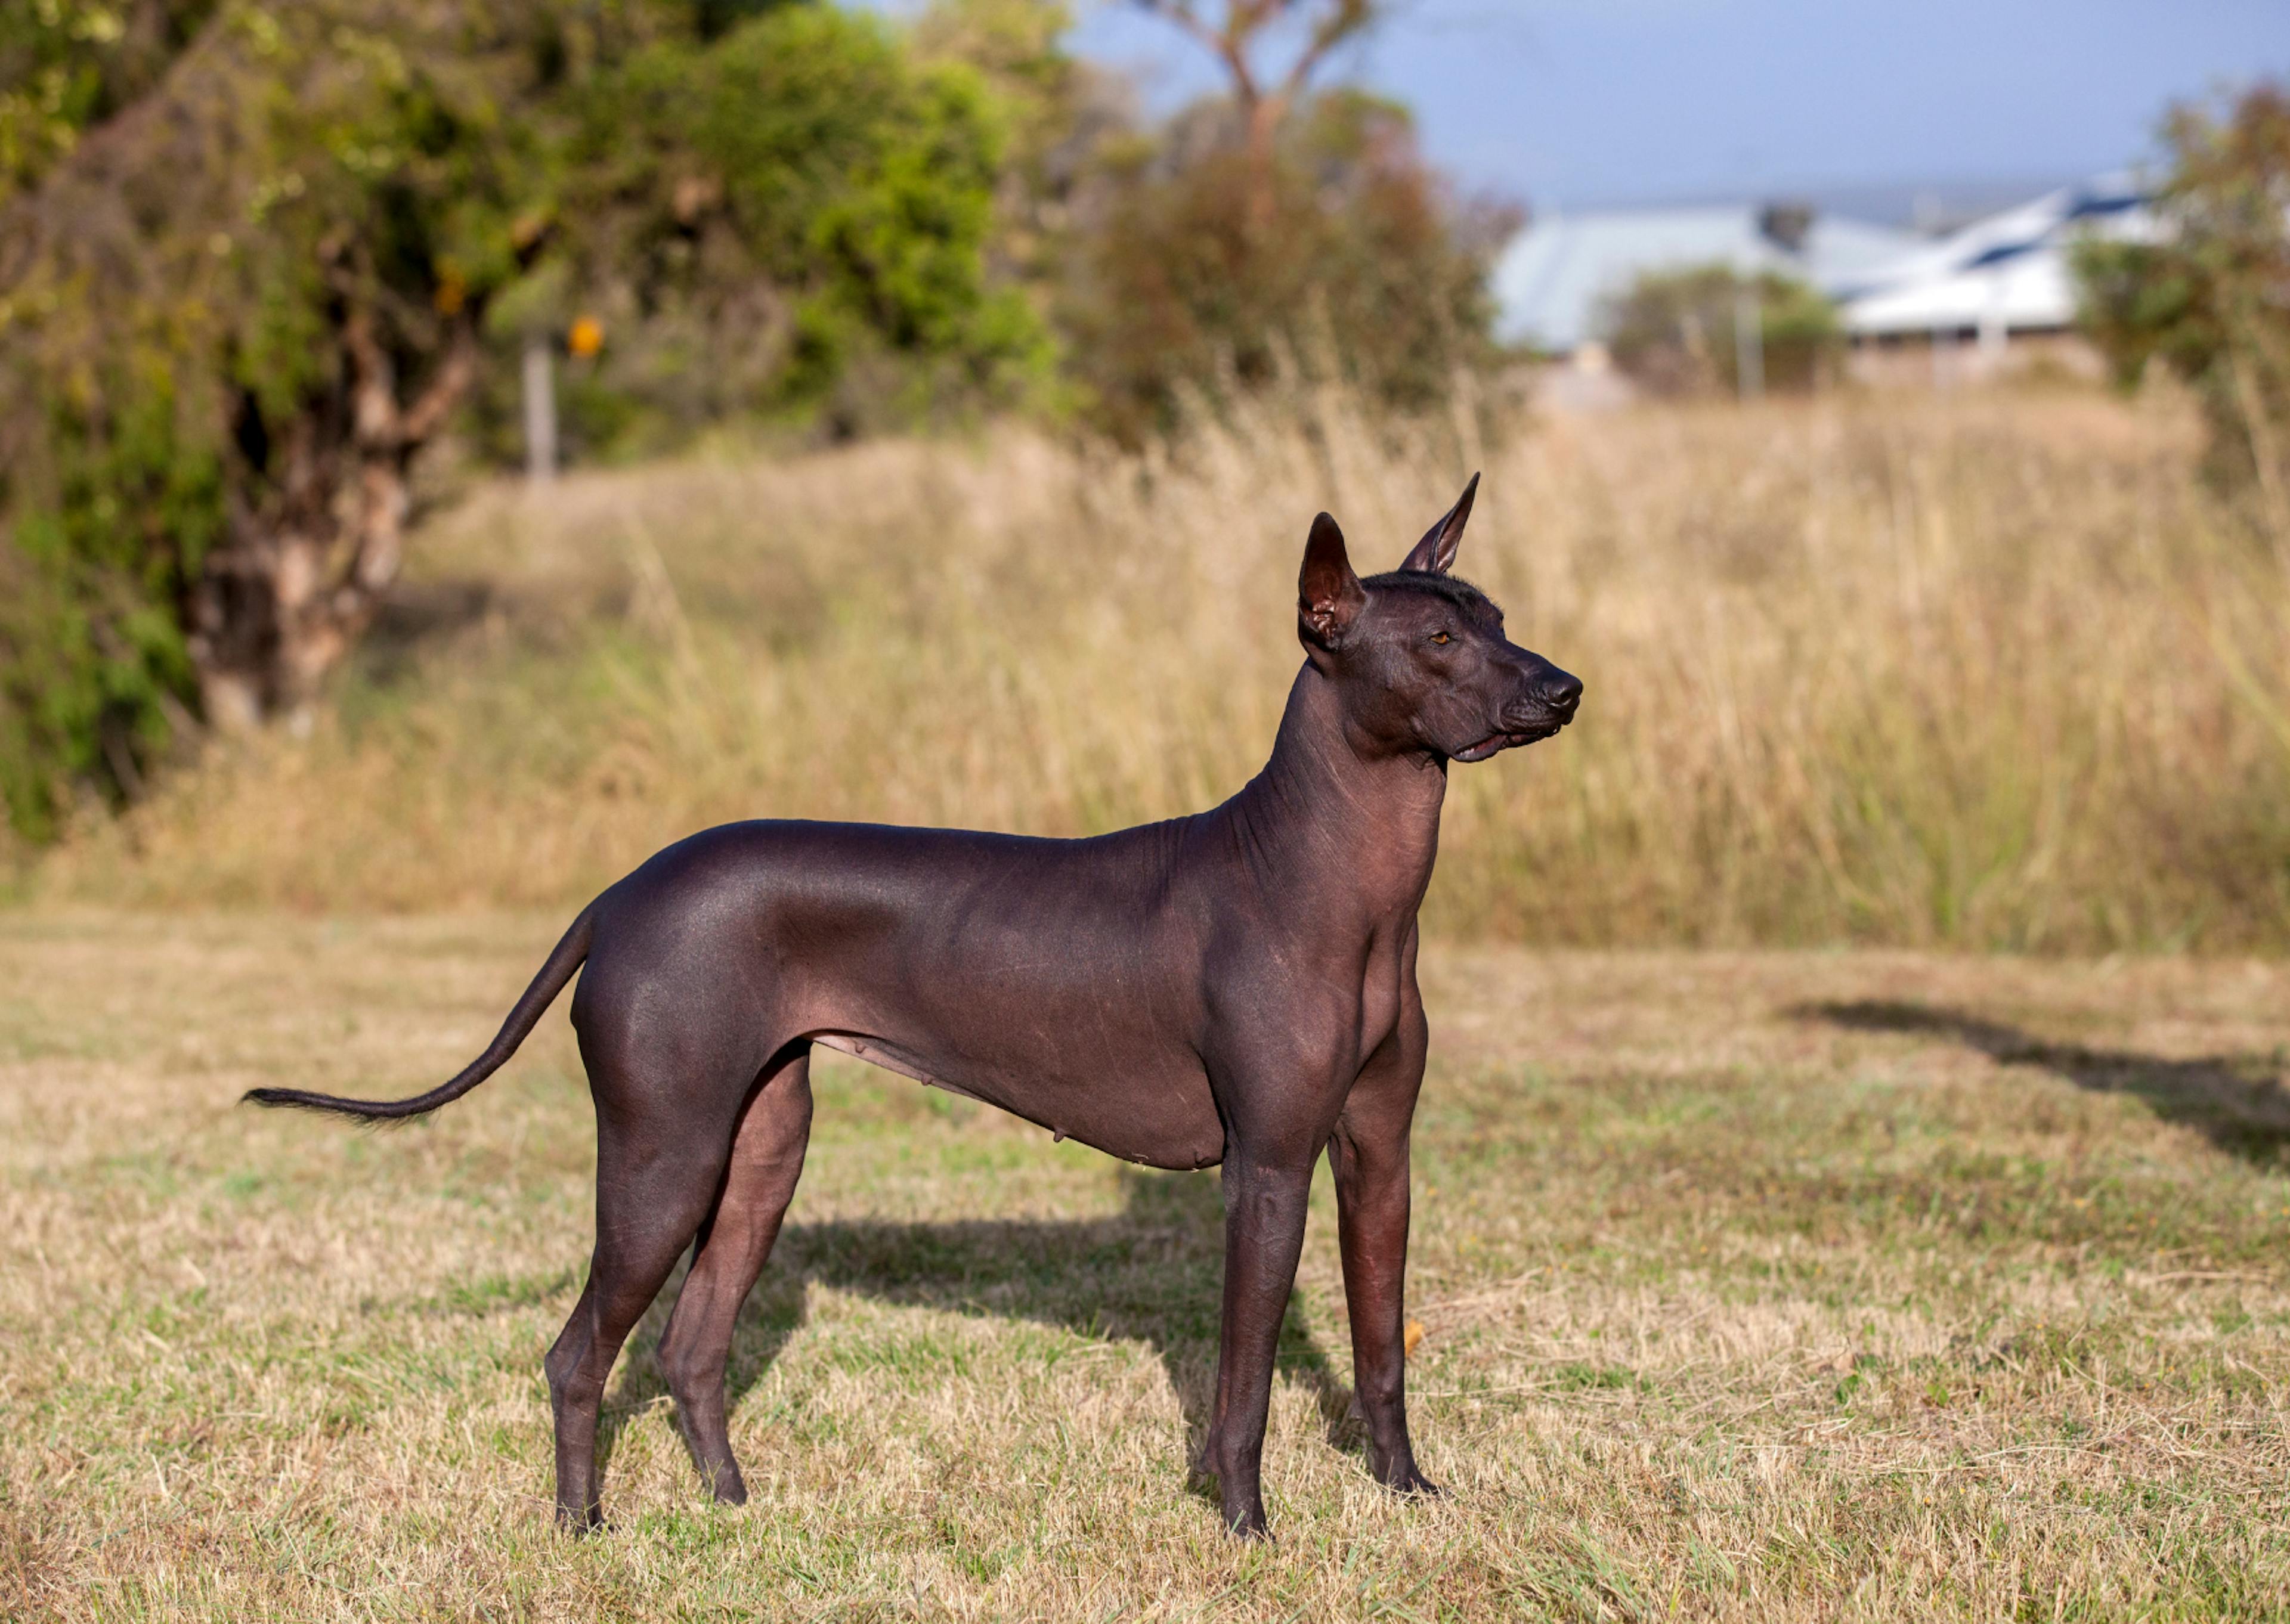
{"x": 656, "y": 1178}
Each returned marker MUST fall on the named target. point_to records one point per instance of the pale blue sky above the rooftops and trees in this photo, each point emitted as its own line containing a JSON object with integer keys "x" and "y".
{"x": 1584, "y": 102}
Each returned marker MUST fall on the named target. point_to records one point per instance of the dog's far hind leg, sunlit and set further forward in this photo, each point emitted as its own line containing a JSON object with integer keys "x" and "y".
{"x": 766, "y": 1162}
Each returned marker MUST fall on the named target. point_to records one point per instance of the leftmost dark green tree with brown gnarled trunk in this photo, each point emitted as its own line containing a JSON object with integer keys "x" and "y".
{"x": 228, "y": 322}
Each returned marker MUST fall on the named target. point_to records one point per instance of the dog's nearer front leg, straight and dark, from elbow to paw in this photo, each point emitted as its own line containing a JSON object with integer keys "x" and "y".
{"x": 1265, "y": 1199}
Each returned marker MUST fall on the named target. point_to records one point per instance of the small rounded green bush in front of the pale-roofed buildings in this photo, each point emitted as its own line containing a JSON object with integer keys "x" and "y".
{"x": 1675, "y": 331}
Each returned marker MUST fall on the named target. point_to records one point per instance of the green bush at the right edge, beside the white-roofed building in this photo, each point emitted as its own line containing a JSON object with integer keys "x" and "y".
{"x": 2211, "y": 294}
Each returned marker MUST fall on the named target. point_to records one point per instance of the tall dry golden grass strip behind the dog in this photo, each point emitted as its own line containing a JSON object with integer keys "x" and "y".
{"x": 1982, "y": 670}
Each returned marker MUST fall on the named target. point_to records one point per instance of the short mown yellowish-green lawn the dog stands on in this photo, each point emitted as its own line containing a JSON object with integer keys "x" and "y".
{"x": 1755, "y": 1286}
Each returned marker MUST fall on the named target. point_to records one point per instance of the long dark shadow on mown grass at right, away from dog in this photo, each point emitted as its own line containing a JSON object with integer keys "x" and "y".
{"x": 2236, "y": 1101}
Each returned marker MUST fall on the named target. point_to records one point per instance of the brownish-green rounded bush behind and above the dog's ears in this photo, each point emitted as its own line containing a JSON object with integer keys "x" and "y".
{"x": 1197, "y": 269}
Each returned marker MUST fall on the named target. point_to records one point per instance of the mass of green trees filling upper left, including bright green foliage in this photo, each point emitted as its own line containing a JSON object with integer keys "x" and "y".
{"x": 237, "y": 308}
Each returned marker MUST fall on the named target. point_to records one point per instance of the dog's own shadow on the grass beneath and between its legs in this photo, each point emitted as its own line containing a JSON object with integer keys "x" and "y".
{"x": 1153, "y": 1275}
